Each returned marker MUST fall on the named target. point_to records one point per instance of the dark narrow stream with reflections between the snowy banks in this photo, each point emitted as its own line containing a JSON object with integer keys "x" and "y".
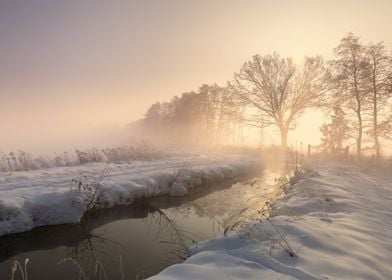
{"x": 148, "y": 236}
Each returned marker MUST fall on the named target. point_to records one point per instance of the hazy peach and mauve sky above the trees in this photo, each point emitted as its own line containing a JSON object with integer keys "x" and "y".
{"x": 71, "y": 68}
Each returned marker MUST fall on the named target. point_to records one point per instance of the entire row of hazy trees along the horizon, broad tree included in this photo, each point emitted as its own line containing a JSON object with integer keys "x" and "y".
{"x": 355, "y": 87}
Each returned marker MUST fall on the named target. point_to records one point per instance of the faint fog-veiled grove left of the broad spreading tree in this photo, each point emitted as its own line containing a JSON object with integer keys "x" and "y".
{"x": 209, "y": 115}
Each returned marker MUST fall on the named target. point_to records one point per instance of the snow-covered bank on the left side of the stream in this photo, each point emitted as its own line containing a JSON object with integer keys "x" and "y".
{"x": 30, "y": 199}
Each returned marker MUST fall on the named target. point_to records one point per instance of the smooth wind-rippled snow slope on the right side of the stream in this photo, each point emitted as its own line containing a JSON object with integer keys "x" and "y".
{"x": 338, "y": 221}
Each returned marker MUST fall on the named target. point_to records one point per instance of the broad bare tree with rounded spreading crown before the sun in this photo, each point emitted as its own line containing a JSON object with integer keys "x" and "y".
{"x": 279, "y": 90}
